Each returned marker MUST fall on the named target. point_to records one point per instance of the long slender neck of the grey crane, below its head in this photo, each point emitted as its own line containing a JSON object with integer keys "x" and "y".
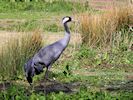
{"x": 66, "y": 38}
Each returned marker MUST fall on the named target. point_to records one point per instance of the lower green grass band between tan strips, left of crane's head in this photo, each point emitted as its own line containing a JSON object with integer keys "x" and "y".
{"x": 30, "y": 25}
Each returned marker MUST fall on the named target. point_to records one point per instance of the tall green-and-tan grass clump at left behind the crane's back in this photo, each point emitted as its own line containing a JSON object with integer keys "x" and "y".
{"x": 16, "y": 53}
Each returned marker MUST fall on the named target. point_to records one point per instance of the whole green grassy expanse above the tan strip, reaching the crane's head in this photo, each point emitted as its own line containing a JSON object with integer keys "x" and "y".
{"x": 26, "y": 16}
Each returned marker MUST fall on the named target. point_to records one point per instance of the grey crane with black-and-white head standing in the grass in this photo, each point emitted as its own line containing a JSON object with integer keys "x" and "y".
{"x": 46, "y": 56}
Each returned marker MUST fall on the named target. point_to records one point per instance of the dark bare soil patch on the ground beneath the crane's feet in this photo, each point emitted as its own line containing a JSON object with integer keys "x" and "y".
{"x": 57, "y": 87}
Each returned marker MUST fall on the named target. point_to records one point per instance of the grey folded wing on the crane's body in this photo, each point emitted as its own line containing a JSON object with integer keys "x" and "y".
{"x": 49, "y": 54}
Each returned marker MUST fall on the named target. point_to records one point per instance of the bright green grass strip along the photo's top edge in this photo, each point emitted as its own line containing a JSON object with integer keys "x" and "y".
{"x": 50, "y": 6}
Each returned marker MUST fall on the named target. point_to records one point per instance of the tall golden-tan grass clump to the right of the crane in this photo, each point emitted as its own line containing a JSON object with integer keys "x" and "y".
{"x": 106, "y": 29}
